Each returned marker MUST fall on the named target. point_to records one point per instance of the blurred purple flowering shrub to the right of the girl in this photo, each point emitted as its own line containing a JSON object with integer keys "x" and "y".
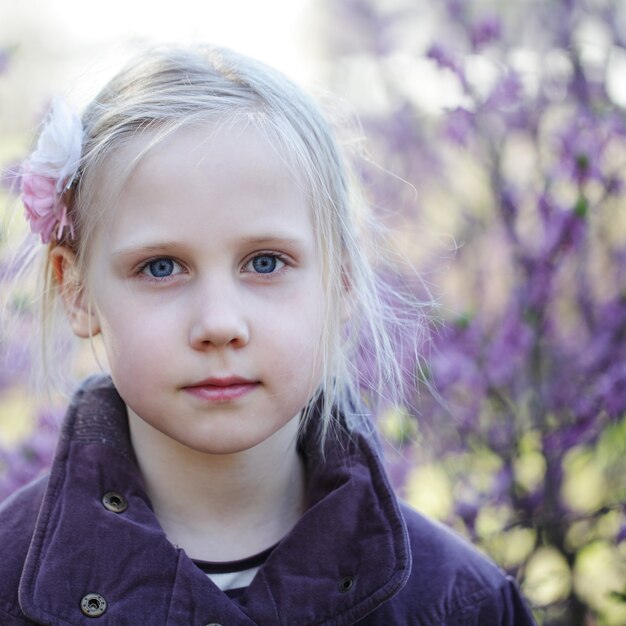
{"x": 509, "y": 122}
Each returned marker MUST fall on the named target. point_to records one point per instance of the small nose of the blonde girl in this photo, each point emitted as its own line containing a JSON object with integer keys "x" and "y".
{"x": 218, "y": 320}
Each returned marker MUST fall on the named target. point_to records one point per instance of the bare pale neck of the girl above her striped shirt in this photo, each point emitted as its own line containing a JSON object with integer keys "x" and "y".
{"x": 222, "y": 507}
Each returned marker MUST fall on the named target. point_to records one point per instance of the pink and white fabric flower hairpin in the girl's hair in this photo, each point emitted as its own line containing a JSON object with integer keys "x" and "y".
{"x": 50, "y": 170}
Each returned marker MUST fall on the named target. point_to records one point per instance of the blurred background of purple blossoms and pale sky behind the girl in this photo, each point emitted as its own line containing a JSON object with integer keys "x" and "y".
{"x": 494, "y": 150}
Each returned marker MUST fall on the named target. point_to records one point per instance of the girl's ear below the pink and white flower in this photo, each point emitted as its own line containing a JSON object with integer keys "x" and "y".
{"x": 81, "y": 315}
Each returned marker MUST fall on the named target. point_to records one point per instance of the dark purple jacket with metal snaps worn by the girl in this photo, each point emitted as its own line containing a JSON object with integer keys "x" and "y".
{"x": 356, "y": 557}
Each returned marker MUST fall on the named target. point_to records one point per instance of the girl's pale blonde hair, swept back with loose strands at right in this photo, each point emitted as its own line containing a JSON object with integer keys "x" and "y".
{"x": 167, "y": 89}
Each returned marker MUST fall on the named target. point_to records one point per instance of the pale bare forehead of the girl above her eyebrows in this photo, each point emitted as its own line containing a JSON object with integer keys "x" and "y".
{"x": 209, "y": 175}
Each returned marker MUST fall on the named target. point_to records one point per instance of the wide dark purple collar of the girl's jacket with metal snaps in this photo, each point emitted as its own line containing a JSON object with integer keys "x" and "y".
{"x": 347, "y": 554}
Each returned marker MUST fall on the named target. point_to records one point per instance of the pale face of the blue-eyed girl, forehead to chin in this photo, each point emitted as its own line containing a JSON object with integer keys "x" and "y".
{"x": 207, "y": 290}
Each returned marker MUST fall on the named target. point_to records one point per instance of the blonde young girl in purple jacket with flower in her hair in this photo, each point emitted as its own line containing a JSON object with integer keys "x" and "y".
{"x": 198, "y": 218}
